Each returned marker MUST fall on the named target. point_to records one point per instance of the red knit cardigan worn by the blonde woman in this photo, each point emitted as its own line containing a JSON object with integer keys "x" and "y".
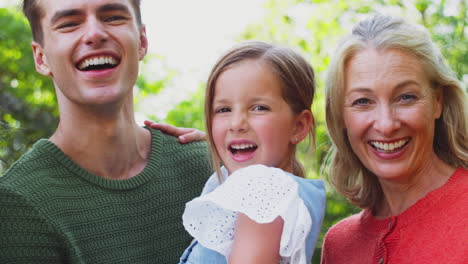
{"x": 433, "y": 230}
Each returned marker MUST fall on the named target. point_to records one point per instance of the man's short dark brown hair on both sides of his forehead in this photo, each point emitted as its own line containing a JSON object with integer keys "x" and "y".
{"x": 33, "y": 11}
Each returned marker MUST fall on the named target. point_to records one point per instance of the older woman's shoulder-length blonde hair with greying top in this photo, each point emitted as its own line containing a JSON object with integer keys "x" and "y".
{"x": 346, "y": 172}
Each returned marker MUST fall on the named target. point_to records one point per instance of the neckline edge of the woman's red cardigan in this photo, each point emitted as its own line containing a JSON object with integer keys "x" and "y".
{"x": 374, "y": 225}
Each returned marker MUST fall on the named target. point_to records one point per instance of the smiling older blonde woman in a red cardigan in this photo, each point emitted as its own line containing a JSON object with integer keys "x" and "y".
{"x": 398, "y": 120}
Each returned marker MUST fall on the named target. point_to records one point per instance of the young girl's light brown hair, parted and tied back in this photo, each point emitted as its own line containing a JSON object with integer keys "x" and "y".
{"x": 294, "y": 72}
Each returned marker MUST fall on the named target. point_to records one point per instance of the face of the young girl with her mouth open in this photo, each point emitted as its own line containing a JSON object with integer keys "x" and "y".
{"x": 251, "y": 122}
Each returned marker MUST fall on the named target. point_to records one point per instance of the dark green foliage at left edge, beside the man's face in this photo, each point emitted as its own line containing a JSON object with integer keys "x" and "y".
{"x": 28, "y": 109}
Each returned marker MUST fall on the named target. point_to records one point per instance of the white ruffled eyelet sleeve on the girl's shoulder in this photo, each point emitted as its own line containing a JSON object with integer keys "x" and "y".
{"x": 260, "y": 192}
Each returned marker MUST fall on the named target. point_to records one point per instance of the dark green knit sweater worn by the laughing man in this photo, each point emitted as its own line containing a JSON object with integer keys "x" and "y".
{"x": 53, "y": 211}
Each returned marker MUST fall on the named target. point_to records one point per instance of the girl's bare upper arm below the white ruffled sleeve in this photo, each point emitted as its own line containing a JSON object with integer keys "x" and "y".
{"x": 256, "y": 243}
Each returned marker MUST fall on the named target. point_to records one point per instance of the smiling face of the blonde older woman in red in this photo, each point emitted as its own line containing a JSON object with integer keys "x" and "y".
{"x": 390, "y": 112}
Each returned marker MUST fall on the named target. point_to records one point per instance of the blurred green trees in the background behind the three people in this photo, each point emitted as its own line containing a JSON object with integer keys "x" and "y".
{"x": 28, "y": 110}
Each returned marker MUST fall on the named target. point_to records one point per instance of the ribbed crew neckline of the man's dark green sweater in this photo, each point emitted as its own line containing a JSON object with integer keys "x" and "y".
{"x": 122, "y": 184}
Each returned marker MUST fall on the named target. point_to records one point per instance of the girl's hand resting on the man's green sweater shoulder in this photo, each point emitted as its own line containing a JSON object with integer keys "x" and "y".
{"x": 185, "y": 135}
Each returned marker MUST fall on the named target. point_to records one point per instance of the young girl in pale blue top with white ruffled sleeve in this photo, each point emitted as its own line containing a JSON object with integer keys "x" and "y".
{"x": 258, "y": 207}
